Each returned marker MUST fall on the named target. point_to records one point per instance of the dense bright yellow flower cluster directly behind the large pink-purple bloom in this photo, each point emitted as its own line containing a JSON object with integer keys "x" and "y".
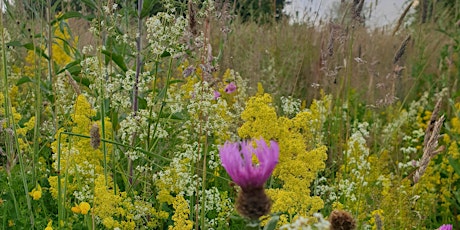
{"x": 300, "y": 158}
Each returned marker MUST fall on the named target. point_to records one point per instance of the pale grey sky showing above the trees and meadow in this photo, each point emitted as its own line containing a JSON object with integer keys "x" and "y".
{"x": 383, "y": 11}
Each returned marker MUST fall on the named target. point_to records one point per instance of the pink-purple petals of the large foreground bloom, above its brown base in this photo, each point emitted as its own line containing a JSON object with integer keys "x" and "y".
{"x": 237, "y": 159}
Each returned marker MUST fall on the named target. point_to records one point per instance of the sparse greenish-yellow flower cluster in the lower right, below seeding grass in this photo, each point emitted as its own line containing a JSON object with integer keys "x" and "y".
{"x": 406, "y": 204}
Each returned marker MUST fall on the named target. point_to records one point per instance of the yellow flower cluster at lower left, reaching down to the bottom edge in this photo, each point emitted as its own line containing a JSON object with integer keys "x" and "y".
{"x": 82, "y": 167}
